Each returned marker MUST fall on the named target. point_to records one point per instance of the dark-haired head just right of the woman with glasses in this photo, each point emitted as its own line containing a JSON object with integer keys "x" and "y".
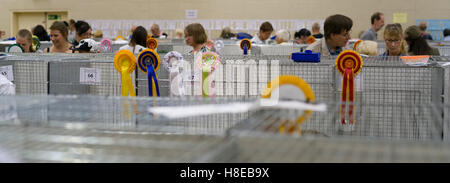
{"x": 417, "y": 44}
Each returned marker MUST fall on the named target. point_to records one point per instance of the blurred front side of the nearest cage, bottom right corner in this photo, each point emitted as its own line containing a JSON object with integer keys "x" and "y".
{"x": 282, "y": 149}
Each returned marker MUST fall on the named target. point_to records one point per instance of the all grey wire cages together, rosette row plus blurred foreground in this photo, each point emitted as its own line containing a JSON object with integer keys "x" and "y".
{"x": 399, "y": 115}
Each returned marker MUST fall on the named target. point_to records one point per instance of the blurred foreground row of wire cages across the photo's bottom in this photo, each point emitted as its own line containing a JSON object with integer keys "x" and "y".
{"x": 114, "y": 129}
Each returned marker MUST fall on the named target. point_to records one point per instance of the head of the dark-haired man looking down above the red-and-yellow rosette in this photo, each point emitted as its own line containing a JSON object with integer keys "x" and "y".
{"x": 337, "y": 29}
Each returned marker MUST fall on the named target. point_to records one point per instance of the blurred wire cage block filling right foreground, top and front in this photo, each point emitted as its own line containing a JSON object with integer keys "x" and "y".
{"x": 381, "y": 134}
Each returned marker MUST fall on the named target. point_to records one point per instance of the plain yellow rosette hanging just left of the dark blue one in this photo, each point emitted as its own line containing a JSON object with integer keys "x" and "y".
{"x": 125, "y": 63}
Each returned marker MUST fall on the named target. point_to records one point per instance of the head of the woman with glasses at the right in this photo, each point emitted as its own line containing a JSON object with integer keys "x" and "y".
{"x": 393, "y": 37}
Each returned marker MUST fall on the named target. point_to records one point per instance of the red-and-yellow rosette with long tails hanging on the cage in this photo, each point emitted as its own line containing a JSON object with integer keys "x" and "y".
{"x": 349, "y": 64}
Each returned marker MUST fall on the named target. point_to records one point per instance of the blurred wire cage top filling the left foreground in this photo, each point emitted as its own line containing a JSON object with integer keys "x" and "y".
{"x": 107, "y": 129}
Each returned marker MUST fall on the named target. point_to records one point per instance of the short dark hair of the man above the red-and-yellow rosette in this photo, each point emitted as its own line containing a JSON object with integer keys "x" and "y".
{"x": 335, "y": 24}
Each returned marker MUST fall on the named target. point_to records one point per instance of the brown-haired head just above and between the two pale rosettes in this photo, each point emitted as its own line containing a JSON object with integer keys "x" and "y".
{"x": 195, "y": 34}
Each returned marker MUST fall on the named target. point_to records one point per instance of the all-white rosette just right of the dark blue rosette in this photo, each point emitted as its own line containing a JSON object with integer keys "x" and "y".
{"x": 173, "y": 62}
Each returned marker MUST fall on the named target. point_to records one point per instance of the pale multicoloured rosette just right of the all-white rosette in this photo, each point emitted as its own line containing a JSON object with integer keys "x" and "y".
{"x": 207, "y": 64}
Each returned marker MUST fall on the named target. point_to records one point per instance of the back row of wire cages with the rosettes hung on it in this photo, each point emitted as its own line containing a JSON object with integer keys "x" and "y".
{"x": 382, "y": 79}
